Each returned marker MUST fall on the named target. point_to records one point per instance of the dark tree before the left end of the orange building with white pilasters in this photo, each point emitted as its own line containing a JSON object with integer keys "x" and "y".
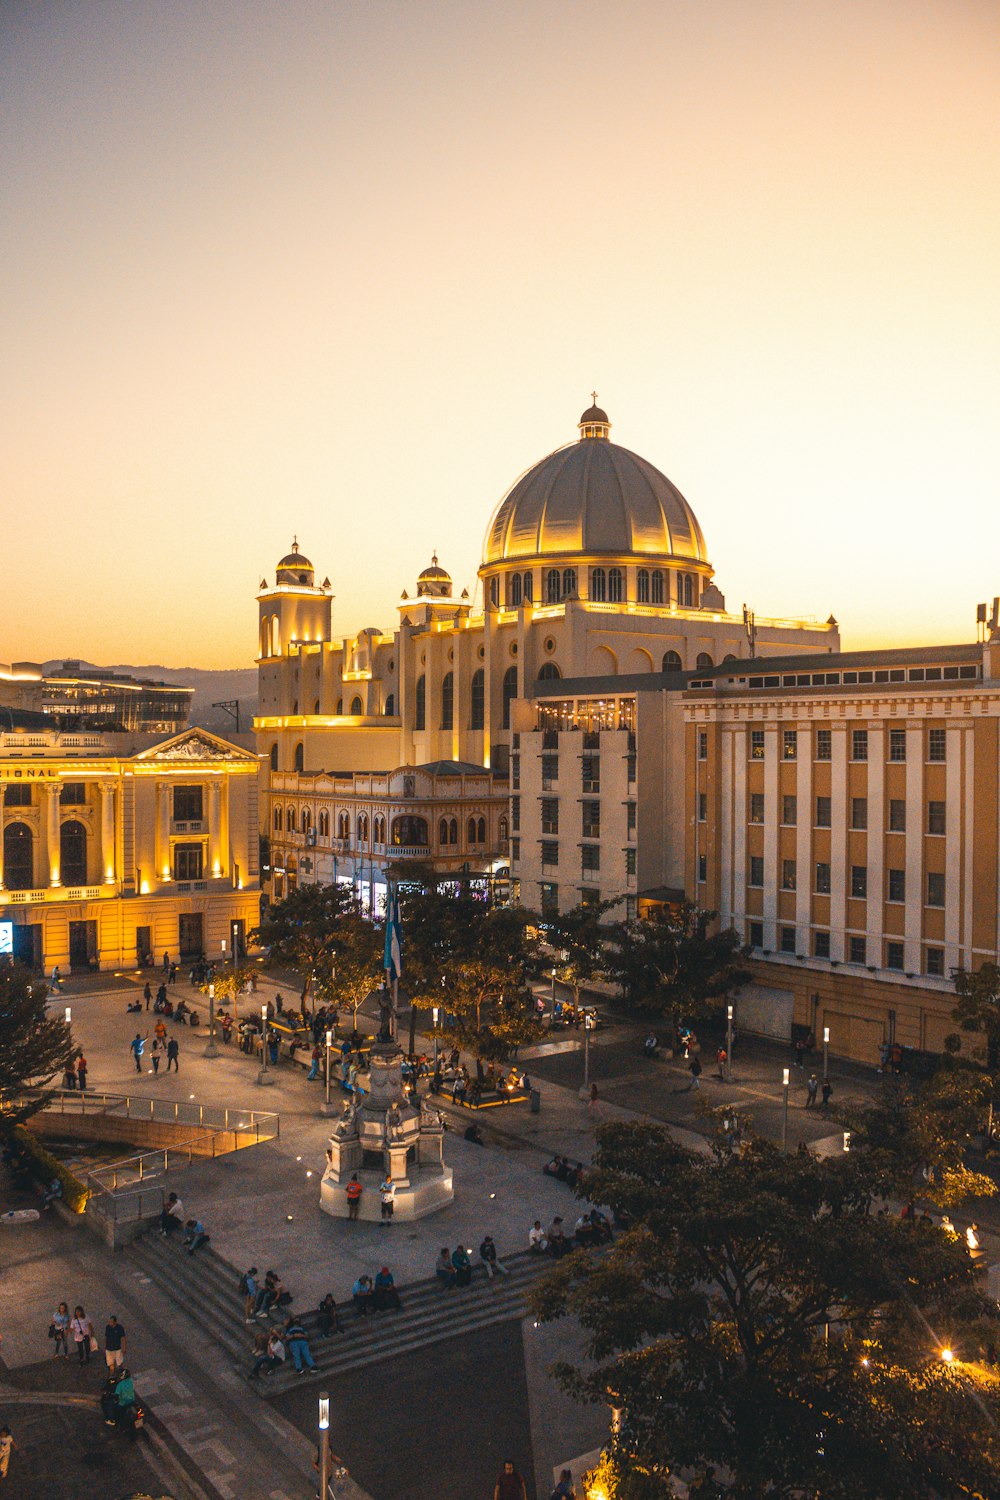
{"x": 671, "y": 964}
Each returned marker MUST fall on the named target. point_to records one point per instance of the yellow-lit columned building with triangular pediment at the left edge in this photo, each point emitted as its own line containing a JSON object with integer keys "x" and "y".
{"x": 110, "y": 853}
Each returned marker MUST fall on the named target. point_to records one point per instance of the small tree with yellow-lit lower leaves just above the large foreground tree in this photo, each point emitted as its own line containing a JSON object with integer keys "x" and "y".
{"x": 918, "y": 1133}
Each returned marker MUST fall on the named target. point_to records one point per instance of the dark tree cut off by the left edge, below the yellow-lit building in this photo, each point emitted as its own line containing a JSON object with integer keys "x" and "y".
{"x": 34, "y": 1048}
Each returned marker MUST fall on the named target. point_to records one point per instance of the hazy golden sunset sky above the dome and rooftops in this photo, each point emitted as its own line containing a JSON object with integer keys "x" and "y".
{"x": 346, "y": 271}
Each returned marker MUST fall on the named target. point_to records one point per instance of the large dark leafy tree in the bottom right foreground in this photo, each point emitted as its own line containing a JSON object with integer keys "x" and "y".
{"x": 762, "y": 1322}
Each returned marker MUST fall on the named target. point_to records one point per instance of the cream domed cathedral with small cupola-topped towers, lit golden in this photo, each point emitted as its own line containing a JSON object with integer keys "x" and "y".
{"x": 594, "y": 565}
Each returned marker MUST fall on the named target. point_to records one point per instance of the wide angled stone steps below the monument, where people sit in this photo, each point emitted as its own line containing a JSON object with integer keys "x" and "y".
{"x": 206, "y": 1288}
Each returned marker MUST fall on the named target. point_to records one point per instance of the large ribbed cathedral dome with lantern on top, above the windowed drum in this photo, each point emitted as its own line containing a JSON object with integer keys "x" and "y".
{"x": 594, "y": 497}
